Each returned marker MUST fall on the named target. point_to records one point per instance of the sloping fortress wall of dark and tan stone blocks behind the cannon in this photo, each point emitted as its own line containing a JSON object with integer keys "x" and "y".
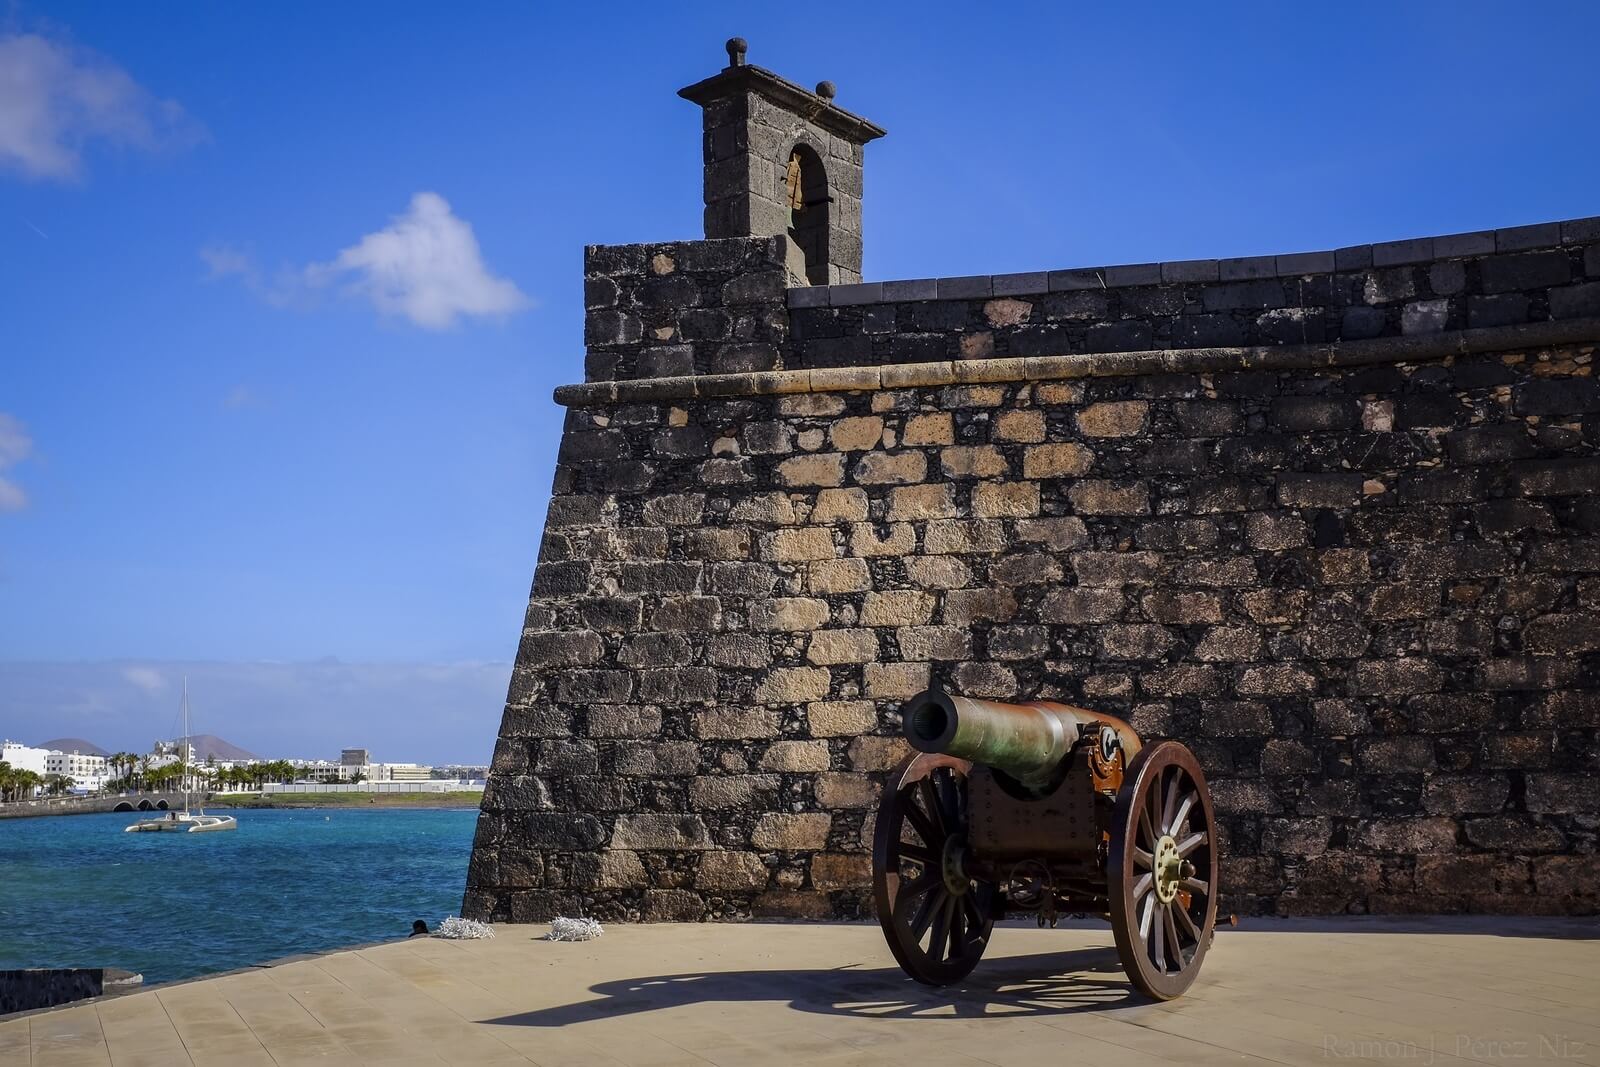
{"x": 1332, "y": 519}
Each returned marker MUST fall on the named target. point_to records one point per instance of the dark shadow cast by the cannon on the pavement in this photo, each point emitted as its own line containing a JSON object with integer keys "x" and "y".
{"x": 1049, "y": 985}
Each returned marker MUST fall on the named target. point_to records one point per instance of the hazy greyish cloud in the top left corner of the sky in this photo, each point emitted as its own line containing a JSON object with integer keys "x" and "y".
{"x": 55, "y": 100}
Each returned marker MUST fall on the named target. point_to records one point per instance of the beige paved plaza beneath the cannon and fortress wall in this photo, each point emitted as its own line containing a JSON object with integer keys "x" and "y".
{"x": 1449, "y": 991}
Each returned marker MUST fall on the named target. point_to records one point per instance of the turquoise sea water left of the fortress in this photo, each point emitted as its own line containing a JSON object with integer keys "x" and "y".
{"x": 78, "y": 892}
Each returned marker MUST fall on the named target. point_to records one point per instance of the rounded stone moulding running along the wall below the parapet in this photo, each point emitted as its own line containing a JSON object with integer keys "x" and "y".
{"x": 1281, "y": 358}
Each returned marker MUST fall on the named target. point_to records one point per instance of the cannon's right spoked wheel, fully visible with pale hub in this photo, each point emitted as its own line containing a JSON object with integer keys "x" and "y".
{"x": 1161, "y": 869}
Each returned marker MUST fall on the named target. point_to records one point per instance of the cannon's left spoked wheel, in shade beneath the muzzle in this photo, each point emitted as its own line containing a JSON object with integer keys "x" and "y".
{"x": 935, "y": 917}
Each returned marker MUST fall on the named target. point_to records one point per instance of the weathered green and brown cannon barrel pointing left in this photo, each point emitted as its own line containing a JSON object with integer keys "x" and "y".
{"x": 1026, "y": 741}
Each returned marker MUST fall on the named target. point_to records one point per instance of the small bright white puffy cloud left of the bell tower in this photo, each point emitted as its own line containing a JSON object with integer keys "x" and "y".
{"x": 426, "y": 266}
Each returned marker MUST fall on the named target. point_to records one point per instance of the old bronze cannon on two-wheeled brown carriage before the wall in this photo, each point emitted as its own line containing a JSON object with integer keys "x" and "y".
{"x": 1044, "y": 809}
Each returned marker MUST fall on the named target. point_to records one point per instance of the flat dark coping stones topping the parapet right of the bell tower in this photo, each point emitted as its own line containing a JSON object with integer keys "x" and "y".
{"x": 1241, "y": 270}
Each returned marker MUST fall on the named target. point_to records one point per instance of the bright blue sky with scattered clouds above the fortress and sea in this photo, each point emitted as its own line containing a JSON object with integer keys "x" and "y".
{"x": 286, "y": 289}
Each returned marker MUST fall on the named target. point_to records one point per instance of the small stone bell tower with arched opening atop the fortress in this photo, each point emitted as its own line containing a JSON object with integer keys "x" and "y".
{"x": 783, "y": 162}
